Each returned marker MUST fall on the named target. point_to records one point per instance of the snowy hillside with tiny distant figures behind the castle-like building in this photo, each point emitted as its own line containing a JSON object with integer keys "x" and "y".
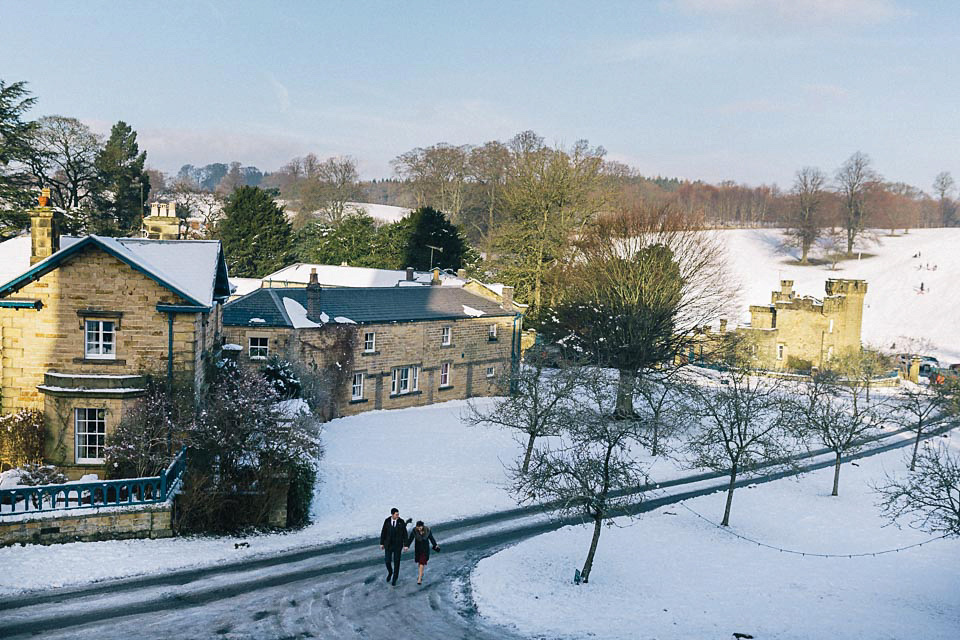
{"x": 894, "y": 306}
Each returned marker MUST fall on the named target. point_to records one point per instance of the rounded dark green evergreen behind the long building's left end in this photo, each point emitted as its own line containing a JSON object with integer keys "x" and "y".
{"x": 255, "y": 233}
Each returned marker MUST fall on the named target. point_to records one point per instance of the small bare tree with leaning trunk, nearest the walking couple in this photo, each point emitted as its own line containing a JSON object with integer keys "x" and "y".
{"x": 589, "y": 475}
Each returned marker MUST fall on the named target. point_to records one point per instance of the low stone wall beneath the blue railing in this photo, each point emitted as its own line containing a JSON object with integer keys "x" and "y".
{"x": 153, "y": 522}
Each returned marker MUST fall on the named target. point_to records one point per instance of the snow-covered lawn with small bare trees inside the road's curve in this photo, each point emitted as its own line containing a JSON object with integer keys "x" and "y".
{"x": 671, "y": 574}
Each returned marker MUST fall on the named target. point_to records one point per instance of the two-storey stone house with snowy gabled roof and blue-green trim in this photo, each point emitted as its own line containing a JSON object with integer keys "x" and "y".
{"x": 83, "y": 320}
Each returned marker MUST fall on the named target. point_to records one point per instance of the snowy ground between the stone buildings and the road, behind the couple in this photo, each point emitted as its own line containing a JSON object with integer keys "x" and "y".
{"x": 423, "y": 460}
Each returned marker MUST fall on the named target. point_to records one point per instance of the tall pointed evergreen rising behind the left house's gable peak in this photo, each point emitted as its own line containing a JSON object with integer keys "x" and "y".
{"x": 120, "y": 178}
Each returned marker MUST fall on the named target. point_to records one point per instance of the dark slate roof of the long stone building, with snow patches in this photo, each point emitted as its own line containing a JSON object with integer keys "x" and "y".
{"x": 362, "y": 305}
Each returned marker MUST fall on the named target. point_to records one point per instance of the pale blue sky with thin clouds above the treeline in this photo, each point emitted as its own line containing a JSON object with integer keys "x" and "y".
{"x": 743, "y": 90}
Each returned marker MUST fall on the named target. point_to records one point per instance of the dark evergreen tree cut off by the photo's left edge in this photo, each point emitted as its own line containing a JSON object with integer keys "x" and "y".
{"x": 16, "y": 148}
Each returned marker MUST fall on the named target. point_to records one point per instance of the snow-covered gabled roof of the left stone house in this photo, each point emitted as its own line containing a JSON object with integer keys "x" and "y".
{"x": 193, "y": 269}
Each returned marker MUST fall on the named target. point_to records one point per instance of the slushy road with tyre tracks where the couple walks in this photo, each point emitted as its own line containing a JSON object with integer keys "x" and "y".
{"x": 334, "y": 591}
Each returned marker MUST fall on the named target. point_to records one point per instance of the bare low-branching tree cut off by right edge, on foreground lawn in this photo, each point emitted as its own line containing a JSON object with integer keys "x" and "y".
{"x": 929, "y": 495}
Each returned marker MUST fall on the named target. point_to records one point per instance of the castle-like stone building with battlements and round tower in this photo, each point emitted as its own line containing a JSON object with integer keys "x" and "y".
{"x": 800, "y": 332}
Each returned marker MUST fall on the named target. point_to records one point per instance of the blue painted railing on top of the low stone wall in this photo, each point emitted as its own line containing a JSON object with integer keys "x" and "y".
{"x": 99, "y": 493}
